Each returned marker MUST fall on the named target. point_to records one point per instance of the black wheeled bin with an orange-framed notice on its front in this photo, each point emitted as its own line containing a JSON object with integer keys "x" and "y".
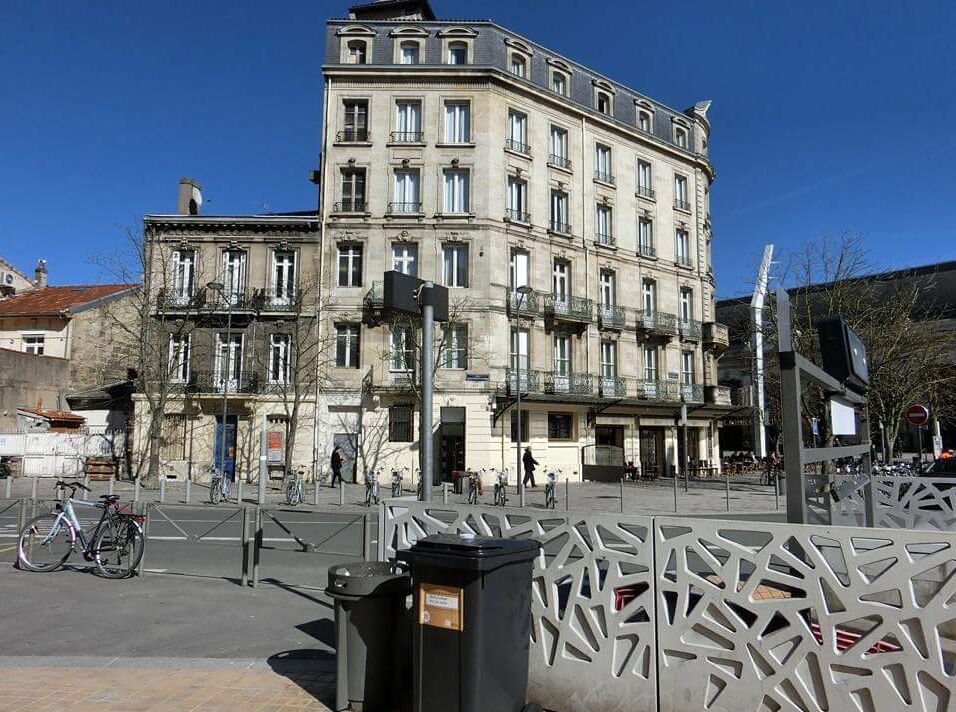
{"x": 472, "y": 622}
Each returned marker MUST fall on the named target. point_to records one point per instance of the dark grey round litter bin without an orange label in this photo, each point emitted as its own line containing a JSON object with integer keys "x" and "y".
{"x": 371, "y": 635}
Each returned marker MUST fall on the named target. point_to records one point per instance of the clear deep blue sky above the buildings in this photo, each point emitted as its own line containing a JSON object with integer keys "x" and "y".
{"x": 827, "y": 118}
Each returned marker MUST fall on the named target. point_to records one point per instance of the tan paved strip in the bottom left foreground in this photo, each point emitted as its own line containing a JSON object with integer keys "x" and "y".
{"x": 163, "y": 685}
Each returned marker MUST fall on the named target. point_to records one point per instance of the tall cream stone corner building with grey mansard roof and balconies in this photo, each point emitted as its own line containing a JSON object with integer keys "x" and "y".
{"x": 463, "y": 153}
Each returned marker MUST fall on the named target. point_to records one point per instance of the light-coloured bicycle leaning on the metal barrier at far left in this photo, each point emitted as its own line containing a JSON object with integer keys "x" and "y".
{"x": 115, "y": 545}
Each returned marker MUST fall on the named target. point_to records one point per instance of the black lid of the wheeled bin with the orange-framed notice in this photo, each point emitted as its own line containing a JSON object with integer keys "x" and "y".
{"x": 469, "y": 552}
